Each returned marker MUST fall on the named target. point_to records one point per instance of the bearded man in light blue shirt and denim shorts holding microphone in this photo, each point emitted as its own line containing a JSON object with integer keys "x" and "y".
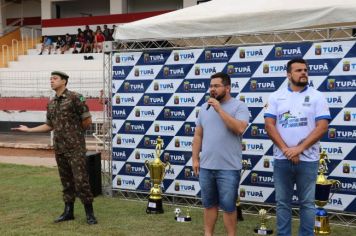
{"x": 218, "y": 133}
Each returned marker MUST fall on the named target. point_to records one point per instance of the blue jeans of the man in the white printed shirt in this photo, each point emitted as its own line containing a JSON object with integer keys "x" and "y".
{"x": 286, "y": 174}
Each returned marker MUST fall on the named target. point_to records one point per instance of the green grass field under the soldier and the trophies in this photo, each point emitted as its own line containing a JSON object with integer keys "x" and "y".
{"x": 30, "y": 199}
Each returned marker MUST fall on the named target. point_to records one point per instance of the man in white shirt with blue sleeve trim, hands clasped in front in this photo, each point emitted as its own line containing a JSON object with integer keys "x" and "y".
{"x": 296, "y": 118}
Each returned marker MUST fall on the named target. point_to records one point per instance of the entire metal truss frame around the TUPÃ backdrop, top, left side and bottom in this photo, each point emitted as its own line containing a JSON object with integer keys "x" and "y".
{"x": 261, "y": 38}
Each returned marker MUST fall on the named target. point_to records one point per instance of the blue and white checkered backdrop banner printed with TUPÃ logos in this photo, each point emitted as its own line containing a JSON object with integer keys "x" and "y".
{"x": 159, "y": 93}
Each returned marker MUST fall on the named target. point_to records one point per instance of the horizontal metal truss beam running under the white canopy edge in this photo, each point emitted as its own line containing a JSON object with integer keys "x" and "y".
{"x": 286, "y": 36}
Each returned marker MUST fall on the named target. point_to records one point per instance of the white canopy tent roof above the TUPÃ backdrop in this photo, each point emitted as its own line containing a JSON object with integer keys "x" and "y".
{"x": 232, "y": 17}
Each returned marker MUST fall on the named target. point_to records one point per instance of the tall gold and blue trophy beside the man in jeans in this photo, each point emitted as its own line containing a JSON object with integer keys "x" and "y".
{"x": 322, "y": 192}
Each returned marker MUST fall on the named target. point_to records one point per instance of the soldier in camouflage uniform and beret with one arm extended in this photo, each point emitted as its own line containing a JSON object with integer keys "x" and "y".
{"x": 68, "y": 116}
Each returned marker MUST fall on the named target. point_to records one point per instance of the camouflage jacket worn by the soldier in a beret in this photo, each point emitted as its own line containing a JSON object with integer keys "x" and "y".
{"x": 65, "y": 114}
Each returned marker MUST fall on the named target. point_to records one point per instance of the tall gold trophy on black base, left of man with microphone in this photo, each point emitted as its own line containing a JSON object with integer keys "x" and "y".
{"x": 157, "y": 170}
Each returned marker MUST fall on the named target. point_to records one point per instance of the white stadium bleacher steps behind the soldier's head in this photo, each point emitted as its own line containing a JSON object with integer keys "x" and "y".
{"x": 29, "y": 75}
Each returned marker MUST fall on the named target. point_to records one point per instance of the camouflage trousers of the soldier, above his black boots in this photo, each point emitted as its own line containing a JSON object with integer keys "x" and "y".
{"x": 72, "y": 170}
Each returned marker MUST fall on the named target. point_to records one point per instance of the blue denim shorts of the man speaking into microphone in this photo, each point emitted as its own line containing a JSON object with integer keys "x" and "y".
{"x": 219, "y": 188}
